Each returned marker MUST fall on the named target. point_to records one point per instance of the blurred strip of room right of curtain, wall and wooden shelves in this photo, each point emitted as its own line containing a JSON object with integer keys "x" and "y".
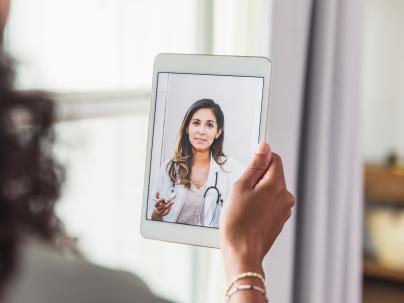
{"x": 383, "y": 151}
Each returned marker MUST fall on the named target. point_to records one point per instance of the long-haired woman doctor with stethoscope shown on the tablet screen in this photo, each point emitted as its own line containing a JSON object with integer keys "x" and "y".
{"x": 195, "y": 182}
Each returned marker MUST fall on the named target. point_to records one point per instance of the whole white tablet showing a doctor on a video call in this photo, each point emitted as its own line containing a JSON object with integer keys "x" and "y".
{"x": 207, "y": 116}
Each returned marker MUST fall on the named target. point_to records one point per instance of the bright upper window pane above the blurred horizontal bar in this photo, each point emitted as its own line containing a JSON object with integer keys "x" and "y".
{"x": 95, "y": 45}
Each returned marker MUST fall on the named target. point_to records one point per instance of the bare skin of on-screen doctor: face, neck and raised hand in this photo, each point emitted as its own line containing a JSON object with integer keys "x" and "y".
{"x": 202, "y": 131}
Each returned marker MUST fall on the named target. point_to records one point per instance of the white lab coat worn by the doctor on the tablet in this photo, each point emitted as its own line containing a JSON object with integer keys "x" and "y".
{"x": 229, "y": 173}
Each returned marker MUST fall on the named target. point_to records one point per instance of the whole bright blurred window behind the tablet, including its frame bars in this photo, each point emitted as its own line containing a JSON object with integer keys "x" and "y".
{"x": 97, "y": 56}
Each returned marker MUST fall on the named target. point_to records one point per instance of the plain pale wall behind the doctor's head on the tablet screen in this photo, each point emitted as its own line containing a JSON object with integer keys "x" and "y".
{"x": 239, "y": 98}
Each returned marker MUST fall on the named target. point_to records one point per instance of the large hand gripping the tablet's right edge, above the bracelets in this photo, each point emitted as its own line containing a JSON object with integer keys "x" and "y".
{"x": 254, "y": 214}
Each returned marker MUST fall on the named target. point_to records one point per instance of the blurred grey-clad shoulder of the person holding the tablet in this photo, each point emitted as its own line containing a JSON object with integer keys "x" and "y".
{"x": 44, "y": 273}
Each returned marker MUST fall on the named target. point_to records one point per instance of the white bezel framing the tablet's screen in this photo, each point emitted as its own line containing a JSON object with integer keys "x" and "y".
{"x": 198, "y": 64}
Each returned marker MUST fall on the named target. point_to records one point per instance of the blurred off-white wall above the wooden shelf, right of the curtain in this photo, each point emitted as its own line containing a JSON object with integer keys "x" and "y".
{"x": 383, "y": 79}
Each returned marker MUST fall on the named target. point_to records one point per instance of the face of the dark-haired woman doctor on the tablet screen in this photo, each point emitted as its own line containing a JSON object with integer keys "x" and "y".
{"x": 203, "y": 130}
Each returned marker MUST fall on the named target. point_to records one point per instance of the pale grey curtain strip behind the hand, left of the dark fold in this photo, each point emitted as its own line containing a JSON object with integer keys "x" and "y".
{"x": 288, "y": 56}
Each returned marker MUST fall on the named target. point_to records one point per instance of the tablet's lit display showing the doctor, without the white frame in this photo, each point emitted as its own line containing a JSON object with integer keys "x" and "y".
{"x": 206, "y": 127}
